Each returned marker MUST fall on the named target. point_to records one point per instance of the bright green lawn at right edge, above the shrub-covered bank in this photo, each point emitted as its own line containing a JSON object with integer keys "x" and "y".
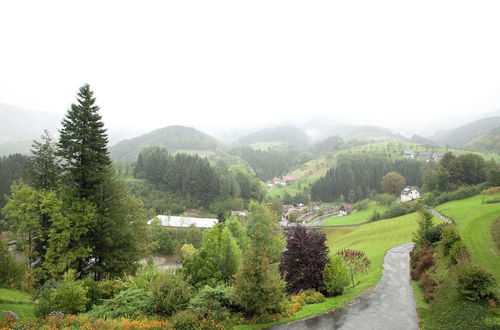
{"x": 474, "y": 220}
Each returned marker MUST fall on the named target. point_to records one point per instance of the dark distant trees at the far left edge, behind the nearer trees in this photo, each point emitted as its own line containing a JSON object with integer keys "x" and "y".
{"x": 12, "y": 168}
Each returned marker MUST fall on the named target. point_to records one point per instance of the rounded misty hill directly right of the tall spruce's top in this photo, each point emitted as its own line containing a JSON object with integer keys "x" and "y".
{"x": 173, "y": 138}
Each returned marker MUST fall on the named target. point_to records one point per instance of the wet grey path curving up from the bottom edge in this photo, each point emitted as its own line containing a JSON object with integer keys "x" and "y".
{"x": 390, "y": 305}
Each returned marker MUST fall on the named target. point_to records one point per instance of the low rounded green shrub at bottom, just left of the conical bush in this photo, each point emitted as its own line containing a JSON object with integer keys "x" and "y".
{"x": 218, "y": 302}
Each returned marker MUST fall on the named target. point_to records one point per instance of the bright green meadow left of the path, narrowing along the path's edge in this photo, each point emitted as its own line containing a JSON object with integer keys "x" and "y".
{"x": 374, "y": 239}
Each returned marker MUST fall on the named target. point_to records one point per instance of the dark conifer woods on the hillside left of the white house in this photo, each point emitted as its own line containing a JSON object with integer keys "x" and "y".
{"x": 357, "y": 176}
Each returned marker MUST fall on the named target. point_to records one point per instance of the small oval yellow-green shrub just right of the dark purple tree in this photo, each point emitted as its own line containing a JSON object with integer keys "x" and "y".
{"x": 335, "y": 276}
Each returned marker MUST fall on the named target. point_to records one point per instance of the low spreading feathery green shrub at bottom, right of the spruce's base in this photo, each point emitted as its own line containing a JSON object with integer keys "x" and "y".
{"x": 130, "y": 303}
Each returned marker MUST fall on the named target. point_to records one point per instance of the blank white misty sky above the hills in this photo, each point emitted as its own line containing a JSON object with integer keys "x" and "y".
{"x": 158, "y": 63}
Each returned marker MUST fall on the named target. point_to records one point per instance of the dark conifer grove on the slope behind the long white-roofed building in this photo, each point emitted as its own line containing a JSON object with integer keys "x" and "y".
{"x": 194, "y": 178}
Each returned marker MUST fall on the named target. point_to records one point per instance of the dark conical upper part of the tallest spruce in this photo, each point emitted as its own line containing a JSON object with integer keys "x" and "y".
{"x": 83, "y": 146}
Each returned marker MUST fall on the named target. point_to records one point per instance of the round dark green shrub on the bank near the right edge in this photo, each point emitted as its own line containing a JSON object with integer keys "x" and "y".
{"x": 475, "y": 283}
